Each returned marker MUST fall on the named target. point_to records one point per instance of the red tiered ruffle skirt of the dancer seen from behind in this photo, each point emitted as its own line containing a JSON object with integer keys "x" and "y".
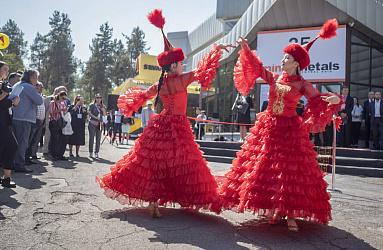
{"x": 165, "y": 164}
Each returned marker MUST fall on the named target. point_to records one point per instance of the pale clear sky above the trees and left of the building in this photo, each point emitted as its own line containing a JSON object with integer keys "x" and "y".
{"x": 32, "y": 16}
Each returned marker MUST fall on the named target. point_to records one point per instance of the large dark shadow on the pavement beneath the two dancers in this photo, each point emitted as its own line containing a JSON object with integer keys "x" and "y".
{"x": 178, "y": 226}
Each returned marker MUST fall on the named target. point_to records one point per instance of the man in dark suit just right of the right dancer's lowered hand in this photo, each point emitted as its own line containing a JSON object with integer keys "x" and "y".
{"x": 345, "y": 113}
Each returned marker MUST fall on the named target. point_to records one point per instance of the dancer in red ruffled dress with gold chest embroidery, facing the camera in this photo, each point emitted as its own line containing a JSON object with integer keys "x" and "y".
{"x": 276, "y": 172}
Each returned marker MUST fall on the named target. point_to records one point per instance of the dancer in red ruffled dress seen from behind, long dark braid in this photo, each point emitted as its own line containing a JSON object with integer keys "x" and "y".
{"x": 165, "y": 165}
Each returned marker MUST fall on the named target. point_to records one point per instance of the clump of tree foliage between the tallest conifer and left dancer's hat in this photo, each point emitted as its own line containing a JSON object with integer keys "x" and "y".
{"x": 111, "y": 63}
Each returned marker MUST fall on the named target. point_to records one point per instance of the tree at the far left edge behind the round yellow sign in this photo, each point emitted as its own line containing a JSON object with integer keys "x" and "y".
{"x": 17, "y": 49}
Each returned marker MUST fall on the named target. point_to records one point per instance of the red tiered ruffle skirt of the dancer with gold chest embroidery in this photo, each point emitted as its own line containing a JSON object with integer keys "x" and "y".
{"x": 276, "y": 172}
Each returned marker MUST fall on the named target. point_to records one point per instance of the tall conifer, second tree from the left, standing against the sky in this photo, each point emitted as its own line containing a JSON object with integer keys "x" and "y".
{"x": 60, "y": 65}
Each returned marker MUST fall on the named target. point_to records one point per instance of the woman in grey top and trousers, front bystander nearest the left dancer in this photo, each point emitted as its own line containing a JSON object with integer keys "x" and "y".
{"x": 96, "y": 111}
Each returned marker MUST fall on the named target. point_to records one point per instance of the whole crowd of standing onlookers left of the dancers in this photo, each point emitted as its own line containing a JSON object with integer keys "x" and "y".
{"x": 29, "y": 120}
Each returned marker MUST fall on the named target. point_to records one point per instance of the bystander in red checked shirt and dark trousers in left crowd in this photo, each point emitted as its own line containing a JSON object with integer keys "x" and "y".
{"x": 57, "y": 143}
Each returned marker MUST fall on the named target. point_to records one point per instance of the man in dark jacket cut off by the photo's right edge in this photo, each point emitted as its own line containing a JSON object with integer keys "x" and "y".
{"x": 376, "y": 112}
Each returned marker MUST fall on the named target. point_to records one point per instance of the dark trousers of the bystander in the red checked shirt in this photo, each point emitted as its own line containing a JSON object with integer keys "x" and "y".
{"x": 58, "y": 141}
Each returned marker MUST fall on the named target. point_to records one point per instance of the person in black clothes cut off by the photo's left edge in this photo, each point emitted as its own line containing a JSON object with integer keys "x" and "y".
{"x": 8, "y": 145}
